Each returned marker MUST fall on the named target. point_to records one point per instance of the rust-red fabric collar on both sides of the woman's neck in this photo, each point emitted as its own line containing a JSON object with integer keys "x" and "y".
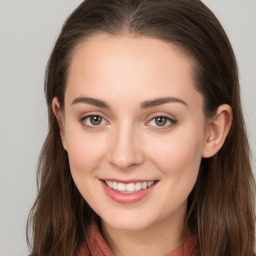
{"x": 97, "y": 246}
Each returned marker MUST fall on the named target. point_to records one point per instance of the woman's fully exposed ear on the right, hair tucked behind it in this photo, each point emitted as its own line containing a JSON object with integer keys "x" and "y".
{"x": 217, "y": 130}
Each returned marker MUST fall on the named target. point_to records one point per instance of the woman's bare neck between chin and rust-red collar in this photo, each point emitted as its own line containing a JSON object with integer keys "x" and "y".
{"x": 158, "y": 239}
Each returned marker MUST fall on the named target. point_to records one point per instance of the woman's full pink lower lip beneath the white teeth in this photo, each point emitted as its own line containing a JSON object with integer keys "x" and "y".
{"x": 127, "y": 198}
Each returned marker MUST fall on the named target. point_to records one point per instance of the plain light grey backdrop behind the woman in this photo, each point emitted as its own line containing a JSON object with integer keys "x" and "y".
{"x": 28, "y": 29}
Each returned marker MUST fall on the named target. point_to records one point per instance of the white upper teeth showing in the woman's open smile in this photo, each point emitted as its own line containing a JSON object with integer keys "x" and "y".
{"x": 129, "y": 188}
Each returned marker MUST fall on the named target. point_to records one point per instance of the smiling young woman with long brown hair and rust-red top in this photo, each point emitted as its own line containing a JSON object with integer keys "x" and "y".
{"x": 146, "y": 152}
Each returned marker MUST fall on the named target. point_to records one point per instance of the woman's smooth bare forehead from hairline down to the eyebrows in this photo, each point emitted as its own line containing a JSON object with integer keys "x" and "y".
{"x": 129, "y": 66}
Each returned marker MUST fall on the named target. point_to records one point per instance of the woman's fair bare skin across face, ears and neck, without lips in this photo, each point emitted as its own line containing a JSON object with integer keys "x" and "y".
{"x": 125, "y": 72}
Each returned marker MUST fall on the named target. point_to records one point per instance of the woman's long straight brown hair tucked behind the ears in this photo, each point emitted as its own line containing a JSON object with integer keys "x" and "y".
{"x": 221, "y": 206}
